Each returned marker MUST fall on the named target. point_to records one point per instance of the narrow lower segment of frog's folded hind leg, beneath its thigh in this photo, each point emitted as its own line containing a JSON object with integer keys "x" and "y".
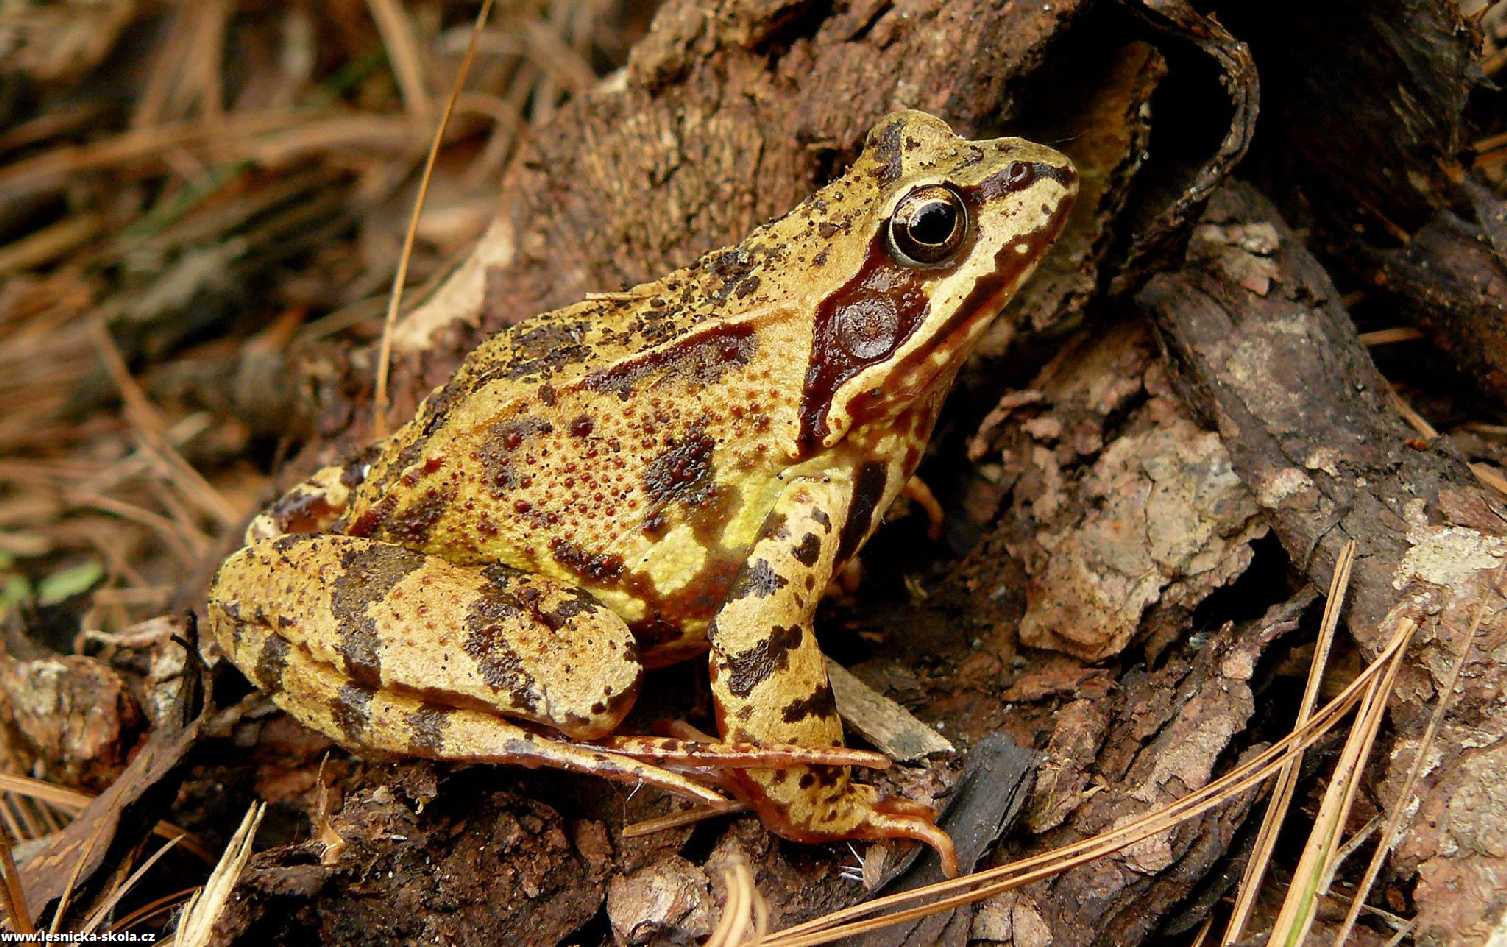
{"x": 406, "y": 725}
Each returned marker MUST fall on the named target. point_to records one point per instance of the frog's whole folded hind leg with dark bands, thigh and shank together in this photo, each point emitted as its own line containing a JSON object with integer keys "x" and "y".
{"x": 387, "y": 649}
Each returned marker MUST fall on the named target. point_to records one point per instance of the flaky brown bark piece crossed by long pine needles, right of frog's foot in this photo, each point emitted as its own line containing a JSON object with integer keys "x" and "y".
{"x": 1163, "y": 734}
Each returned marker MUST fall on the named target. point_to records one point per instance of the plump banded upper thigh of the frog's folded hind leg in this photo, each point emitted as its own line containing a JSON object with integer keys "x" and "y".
{"x": 390, "y": 619}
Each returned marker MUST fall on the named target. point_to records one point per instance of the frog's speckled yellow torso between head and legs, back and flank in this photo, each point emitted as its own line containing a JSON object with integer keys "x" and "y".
{"x": 629, "y": 444}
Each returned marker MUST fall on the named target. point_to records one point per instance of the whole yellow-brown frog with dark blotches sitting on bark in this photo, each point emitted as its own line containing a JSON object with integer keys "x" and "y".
{"x": 647, "y": 477}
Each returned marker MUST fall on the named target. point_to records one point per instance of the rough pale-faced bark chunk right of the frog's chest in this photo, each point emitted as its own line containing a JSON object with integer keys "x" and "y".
{"x": 1120, "y": 539}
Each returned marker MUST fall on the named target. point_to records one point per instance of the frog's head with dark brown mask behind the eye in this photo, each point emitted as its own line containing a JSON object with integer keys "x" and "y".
{"x": 944, "y": 233}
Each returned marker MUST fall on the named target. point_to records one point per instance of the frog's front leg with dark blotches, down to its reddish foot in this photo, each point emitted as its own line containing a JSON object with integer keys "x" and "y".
{"x": 771, "y": 684}
